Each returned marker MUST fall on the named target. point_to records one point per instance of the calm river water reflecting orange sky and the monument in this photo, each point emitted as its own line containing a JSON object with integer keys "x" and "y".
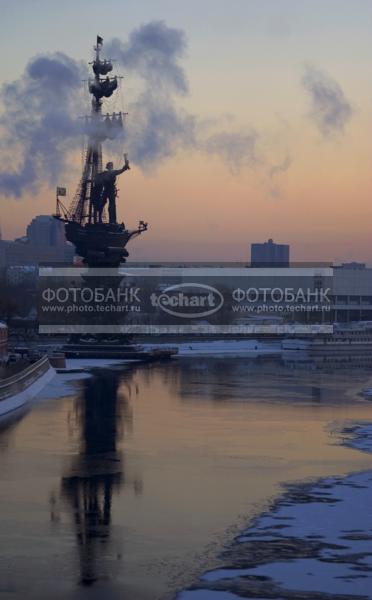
{"x": 128, "y": 483}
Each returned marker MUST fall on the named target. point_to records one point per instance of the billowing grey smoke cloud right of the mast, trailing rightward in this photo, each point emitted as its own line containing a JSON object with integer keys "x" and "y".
{"x": 158, "y": 128}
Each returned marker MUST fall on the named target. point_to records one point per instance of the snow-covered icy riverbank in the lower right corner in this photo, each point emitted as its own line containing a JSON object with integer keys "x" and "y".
{"x": 315, "y": 543}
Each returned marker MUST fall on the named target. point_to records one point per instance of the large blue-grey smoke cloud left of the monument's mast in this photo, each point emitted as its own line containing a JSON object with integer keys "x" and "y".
{"x": 39, "y": 124}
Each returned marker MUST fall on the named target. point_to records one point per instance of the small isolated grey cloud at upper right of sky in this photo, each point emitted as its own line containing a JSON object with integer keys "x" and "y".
{"x": 330, "y": 109}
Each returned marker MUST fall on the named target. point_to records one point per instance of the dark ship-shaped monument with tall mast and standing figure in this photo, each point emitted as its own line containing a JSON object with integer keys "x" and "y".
{"x": 99, "y": 241}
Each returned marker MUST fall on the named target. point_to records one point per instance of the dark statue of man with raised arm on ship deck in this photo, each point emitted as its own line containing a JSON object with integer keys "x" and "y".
{"x": 105, "y": 190}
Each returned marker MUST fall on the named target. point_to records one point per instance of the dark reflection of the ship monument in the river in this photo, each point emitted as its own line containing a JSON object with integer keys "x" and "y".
{"x": 103, "y": 414}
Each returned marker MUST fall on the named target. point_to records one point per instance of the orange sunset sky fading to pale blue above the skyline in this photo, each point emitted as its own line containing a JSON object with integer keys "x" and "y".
{"x": 246, "y": 64}
